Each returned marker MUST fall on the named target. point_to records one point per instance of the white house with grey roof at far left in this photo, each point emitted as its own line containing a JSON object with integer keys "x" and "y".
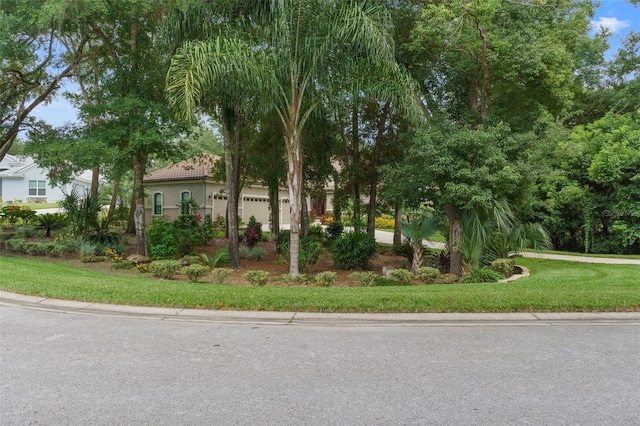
{"x": 22, "y": 180}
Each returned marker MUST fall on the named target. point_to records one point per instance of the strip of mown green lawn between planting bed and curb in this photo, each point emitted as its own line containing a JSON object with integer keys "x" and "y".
{"x": 553, "y": 286}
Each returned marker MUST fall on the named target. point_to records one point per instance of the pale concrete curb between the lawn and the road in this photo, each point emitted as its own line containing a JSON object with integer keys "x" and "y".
{"x": 317, "y": 319}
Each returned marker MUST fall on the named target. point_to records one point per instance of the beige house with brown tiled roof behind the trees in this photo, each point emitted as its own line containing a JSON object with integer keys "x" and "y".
{"x": 192, "y": 178}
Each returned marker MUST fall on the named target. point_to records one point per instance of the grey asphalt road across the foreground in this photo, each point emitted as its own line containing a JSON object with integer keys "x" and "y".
{"x": 71, "y": 368}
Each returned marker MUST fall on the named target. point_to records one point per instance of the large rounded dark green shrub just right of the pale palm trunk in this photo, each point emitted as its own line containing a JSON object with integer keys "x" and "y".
{"x": 353, "y": 250}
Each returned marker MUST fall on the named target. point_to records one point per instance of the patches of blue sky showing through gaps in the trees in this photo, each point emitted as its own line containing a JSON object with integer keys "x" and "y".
{"x": 619, "y": 16}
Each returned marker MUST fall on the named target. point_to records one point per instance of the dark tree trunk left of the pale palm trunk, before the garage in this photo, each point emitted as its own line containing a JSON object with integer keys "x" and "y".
{"x": 232, "y": 195}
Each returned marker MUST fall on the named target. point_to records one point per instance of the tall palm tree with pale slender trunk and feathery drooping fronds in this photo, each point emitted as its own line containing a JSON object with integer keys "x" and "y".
{"x": 299, "y": 49}
